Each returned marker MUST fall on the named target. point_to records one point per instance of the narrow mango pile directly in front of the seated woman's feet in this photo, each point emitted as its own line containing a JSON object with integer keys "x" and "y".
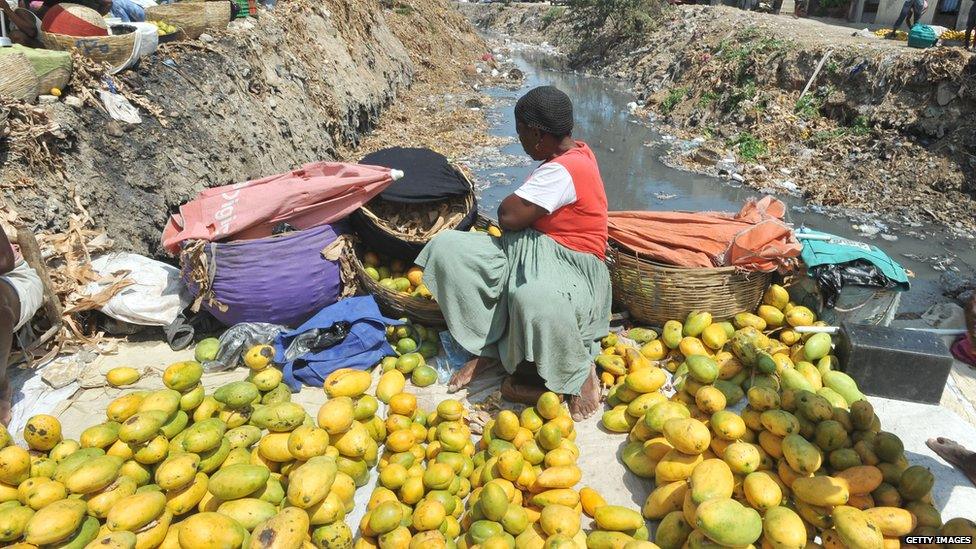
{"x": 524, "y": 487}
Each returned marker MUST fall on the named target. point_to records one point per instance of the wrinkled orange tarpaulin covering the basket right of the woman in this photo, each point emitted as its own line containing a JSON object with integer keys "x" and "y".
{"x": 754, "y": 239}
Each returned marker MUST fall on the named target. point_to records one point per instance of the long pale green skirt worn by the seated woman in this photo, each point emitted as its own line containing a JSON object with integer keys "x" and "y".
{"x": 521, "y": 298}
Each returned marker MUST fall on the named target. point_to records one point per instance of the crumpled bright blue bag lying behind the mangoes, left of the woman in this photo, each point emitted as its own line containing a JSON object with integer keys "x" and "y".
{"x": 364, "y": 346}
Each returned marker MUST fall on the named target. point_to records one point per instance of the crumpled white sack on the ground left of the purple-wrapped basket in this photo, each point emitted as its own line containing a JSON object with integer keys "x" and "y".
{"x": 156, "y": 297}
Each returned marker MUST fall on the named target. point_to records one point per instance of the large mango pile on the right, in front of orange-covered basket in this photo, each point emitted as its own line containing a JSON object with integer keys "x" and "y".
{"x": 806, "y": 458}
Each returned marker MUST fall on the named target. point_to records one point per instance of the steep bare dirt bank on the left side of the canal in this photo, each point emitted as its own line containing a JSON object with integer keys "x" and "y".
{"x": 302, "y": 83}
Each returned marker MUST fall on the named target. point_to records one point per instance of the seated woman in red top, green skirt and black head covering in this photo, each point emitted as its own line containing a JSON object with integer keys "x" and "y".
{"x": 537, "y": 299}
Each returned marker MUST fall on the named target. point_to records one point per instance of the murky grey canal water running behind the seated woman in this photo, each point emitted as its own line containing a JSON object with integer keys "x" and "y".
{"x": 629, "y": 151}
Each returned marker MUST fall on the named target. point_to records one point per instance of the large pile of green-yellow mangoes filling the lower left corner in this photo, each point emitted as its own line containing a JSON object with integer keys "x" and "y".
{"x": 177, "y": 468}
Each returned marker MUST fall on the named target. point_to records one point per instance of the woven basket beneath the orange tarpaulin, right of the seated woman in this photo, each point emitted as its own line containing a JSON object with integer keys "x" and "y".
{"x": 654, "y": 293}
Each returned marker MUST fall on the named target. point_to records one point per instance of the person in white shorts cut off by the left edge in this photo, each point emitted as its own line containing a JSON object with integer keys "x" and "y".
{"x": 21, "y": 295}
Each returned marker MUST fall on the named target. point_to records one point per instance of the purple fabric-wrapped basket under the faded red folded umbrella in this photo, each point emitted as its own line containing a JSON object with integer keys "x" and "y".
{"x": 283, "y": 279}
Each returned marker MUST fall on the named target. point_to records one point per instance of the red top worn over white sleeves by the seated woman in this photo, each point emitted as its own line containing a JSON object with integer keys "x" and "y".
{"x": 582, "y": 225}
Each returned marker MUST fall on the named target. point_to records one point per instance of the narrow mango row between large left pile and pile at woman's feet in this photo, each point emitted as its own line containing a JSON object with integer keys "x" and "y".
{"x": 422, "y": 477}
